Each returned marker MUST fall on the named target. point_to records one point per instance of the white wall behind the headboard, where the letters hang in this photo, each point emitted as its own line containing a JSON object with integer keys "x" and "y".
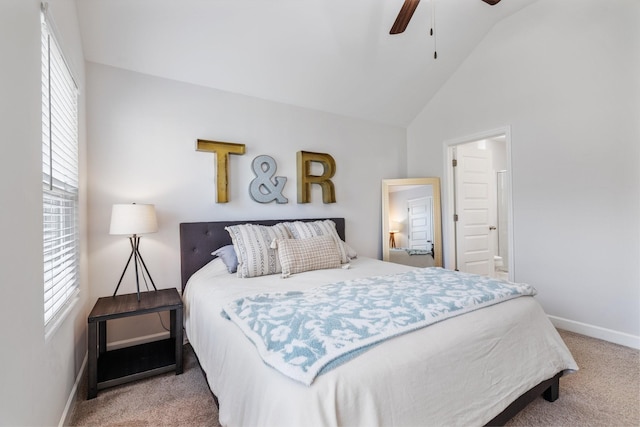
{"x": 142, "y": 133}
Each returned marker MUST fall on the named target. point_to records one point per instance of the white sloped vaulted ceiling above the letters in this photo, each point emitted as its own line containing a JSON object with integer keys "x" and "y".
{"x": 329, "y": 55}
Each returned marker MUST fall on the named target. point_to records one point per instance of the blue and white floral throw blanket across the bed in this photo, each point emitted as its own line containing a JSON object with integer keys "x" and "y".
{"x": 300, "y": 333}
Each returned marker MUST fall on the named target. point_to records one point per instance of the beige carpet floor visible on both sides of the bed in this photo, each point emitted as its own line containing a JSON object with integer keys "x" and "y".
{"x": 605, "y": 392}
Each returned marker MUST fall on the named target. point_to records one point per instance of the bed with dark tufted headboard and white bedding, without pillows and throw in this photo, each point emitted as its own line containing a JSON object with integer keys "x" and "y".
{"x": 478, "y": 368}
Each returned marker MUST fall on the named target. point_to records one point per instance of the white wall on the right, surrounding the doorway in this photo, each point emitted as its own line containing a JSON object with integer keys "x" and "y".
{"x": 564, "y": 76}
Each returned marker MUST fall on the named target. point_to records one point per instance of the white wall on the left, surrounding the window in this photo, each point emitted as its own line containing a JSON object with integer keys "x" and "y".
{"x": 37, "y": 375}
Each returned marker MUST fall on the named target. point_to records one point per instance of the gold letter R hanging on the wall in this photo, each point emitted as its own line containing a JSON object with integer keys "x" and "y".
{"x": 305, "y": 179}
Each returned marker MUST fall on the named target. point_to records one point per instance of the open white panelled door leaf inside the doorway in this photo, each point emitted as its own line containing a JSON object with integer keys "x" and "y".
{"x": 474, "y": 226}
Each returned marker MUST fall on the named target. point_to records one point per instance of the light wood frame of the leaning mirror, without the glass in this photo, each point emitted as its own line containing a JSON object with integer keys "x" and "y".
{"x": 437, "y": 214}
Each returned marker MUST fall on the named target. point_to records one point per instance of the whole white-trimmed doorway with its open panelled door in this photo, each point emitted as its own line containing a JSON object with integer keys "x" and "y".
{"x": 480, "y": 224}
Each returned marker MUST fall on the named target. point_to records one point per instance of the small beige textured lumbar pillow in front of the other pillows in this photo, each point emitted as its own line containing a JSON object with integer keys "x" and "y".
{"x": 313, "y": 253}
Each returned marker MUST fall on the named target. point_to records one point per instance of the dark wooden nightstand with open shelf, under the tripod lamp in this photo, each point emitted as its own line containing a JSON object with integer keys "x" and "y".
{"x": 114, "y": 367}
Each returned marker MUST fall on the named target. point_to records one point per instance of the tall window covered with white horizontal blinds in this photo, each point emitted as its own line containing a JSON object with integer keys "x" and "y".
{"x": 59, "y": 178}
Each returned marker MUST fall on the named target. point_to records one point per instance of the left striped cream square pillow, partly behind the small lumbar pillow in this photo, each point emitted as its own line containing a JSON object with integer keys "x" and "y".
{"x": 252, "y": 243}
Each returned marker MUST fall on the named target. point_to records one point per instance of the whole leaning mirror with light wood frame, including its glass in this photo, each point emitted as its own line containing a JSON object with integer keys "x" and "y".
{"x": 411, "y": 223}
